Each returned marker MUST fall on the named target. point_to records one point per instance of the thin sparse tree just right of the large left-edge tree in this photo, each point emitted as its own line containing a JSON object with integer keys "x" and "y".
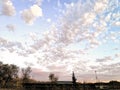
{"x": 26, "y": 74}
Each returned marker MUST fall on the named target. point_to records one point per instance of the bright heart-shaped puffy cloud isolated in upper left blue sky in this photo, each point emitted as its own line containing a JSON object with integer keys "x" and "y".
{"x": 30, "y": 15}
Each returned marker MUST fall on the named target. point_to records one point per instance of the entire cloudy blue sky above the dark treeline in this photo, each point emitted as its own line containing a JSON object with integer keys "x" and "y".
{"x": 61, "y": 36}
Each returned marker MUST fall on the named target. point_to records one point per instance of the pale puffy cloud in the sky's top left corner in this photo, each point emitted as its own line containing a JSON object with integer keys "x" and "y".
{"x": 8, "y": 8}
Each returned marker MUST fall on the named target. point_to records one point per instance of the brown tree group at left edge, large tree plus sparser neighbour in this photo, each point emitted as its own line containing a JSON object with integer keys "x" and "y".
{"x": 13, "y": 76}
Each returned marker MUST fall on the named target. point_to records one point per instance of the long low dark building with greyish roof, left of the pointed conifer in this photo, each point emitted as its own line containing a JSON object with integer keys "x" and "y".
{"x": 59, "y": 85}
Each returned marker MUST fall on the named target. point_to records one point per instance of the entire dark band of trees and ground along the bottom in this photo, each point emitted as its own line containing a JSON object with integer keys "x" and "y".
{"x": 13, "y": 77}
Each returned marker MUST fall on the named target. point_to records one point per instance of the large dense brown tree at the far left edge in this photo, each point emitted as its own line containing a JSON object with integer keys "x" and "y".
{"x": 7, "y": 73}
